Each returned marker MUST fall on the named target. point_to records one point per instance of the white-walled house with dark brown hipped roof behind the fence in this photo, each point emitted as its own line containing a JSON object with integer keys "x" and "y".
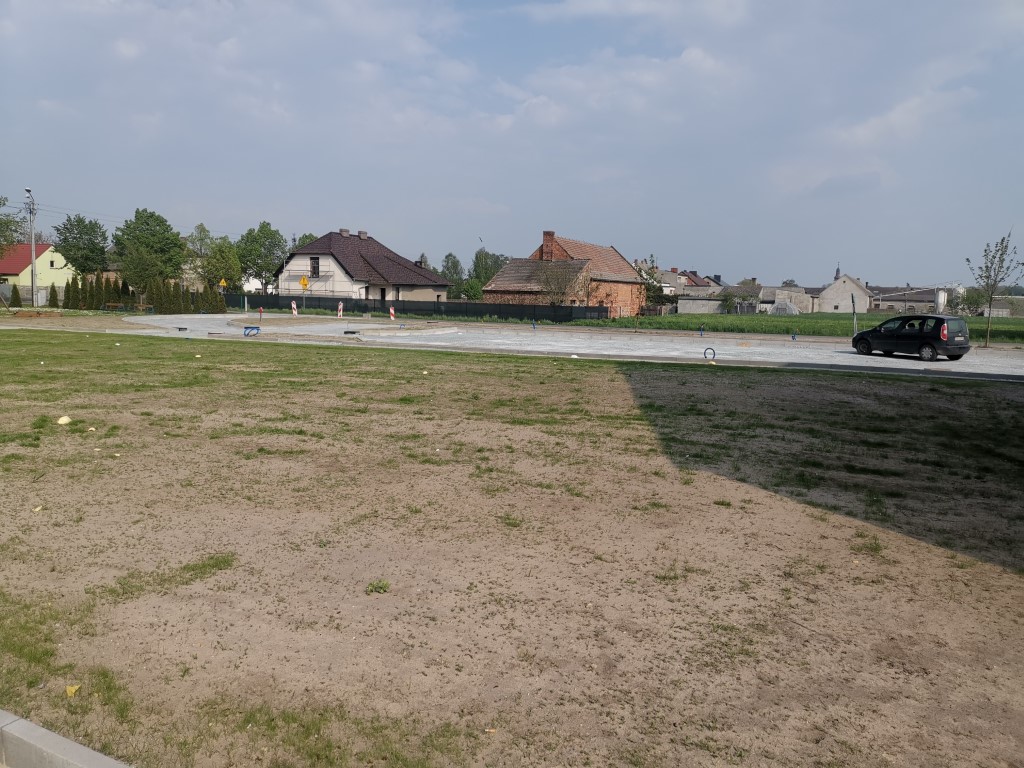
{"x": 358, "y": 267}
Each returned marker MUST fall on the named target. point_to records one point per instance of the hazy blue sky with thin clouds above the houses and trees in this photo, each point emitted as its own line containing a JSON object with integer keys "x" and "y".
{"x": 769, "y": 139}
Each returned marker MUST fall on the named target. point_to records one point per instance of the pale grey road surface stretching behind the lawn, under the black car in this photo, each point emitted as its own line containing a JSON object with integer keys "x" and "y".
{"x": 1006, "y": 363}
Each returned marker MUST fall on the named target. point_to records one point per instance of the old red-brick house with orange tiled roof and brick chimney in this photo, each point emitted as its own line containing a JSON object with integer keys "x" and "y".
{"x": 565, "y": 272}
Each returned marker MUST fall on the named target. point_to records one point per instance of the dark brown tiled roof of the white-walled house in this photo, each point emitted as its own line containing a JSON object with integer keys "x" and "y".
{"x": 368, "y": 261}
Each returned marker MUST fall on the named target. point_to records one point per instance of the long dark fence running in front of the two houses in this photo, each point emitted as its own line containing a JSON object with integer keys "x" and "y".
{"x": 441, "y": 310}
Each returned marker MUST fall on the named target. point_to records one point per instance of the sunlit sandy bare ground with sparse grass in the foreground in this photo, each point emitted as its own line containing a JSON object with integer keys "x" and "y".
{"x": 562, "y": 591}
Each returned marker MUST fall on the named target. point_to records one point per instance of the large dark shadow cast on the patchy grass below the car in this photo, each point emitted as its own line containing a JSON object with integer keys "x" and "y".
{"x": 938, "y": 460}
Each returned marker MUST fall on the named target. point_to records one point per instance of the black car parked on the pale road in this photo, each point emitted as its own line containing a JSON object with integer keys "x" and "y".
{"x": 927, "y": 336}
